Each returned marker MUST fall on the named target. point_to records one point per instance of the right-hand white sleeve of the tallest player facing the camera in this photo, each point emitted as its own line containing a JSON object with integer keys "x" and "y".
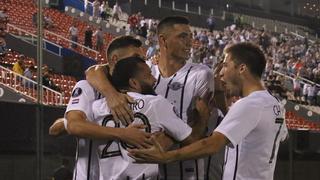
{"x": 205, "y": 81}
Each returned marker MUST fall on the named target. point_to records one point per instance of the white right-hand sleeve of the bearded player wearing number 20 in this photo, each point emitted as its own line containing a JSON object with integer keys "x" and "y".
{"x": 168, "y": 120}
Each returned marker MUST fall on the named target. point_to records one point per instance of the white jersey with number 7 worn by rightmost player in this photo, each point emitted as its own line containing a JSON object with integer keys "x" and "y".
{"x": 254, "y": 126}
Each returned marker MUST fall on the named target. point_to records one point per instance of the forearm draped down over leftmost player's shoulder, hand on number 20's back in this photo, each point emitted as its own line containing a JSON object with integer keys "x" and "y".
{"x": 118, "y": 103}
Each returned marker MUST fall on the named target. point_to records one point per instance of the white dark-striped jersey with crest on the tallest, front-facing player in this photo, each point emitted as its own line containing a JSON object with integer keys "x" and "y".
{"x": 191, "y": 80}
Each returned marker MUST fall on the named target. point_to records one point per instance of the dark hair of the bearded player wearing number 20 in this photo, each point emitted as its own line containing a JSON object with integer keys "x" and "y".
{"x": 124, "y": 70}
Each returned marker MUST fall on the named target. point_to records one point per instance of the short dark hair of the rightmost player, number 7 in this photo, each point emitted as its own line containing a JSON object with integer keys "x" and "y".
{"x": 248, "y": 54}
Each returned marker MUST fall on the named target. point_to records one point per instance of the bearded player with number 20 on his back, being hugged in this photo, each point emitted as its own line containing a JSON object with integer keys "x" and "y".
{"x": 132, "y": 75}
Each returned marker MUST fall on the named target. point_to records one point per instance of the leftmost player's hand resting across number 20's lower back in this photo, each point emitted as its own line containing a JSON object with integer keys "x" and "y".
{"x": 134, "y": 135}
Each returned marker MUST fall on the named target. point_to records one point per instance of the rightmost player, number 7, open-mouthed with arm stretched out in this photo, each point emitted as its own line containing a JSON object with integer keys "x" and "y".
{"x": 251, "y": 130}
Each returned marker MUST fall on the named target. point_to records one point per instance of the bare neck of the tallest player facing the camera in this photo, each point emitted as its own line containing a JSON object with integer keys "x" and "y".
{"x": 168, "y": 66}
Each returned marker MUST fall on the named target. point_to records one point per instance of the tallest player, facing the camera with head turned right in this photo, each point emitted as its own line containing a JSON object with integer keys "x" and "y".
{"x": 178, "y": 82}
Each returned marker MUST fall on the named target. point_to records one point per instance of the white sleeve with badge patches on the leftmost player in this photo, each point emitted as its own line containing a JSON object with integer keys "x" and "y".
{"x": 82, "y": 98}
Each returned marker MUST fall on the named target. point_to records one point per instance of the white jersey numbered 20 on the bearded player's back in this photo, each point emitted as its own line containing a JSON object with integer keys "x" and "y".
{"x": 158, "y": 115}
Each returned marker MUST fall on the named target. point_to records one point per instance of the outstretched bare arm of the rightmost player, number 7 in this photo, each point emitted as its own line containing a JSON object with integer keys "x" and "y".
{"x": 204, "y": 147}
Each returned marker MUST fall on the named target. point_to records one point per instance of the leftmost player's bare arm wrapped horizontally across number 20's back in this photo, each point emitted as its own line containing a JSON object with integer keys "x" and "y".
{"x": 78, "y": 125}
